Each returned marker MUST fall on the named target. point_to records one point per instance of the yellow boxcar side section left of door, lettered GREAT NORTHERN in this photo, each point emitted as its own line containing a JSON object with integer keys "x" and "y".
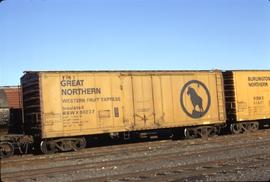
{"x": 80, "y": 104}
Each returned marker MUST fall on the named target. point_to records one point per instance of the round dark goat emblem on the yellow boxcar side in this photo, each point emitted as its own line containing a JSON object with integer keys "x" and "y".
{"x": 195, "y": 99}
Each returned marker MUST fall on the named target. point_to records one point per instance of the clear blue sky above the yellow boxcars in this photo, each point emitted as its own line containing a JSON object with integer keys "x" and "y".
{"x": 132, "y": 34}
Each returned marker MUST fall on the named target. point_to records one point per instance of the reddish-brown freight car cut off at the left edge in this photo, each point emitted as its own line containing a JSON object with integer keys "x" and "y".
{"x": 11, "y": 133}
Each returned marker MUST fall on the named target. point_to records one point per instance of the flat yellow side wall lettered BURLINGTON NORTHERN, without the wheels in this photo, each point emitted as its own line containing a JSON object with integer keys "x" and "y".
{"x": 252, "y": 96}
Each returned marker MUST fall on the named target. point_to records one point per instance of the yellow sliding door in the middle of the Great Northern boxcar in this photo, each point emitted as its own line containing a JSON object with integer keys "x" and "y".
{"x": 138, "y": 104}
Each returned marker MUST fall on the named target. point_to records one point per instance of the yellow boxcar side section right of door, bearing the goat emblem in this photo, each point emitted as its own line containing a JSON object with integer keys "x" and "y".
{"x": 194, "y": 98}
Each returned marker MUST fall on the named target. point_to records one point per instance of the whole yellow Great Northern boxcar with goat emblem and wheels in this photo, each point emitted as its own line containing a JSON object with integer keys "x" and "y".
{"x": 61, "y": 107}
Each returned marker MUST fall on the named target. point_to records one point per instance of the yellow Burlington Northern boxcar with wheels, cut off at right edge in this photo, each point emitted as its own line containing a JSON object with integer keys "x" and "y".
{"x": 247, "y": 98}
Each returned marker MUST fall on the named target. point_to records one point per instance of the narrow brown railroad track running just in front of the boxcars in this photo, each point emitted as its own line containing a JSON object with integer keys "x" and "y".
{"x": 114, "y": 149}
